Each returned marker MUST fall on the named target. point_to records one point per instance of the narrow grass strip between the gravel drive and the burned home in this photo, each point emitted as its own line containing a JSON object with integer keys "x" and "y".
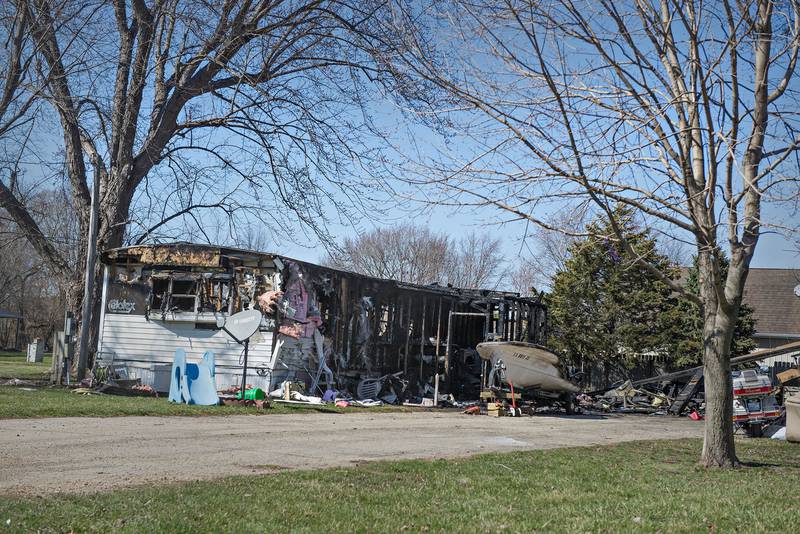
{"x": 60, "y": 402}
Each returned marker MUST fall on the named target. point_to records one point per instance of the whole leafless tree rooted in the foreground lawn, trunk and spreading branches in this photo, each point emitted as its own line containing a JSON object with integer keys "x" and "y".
{"x": 685, "y": 111}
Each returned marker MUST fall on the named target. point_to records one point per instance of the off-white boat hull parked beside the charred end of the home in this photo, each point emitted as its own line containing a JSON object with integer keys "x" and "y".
{"x": 527, "y": 365}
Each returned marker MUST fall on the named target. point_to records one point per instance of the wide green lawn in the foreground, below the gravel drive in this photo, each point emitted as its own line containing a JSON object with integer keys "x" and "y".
{"x": 633, "y": 487}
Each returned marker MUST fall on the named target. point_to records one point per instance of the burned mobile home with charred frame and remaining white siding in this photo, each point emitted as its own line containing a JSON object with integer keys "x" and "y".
{"x": 159, "y": 298}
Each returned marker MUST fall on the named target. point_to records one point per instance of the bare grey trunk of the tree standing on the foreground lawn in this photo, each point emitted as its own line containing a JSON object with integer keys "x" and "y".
{"x": 718, "y": 326}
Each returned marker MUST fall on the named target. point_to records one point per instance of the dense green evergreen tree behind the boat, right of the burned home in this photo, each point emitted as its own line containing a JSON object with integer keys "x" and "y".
{"x": 606, "y": 308}
